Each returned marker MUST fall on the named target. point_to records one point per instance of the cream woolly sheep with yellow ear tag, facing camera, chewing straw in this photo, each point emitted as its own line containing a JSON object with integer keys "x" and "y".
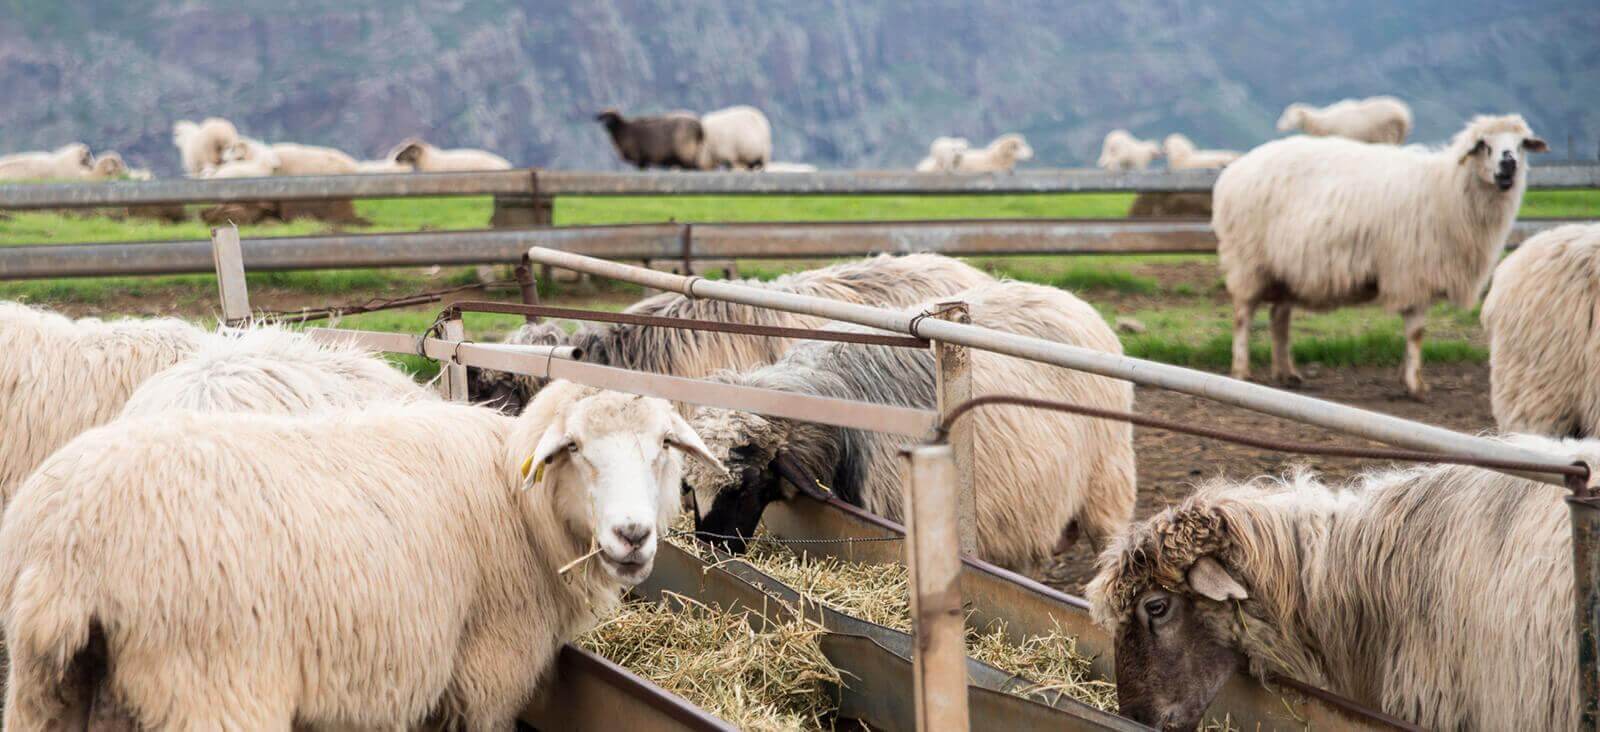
{"x": 374, "y": 570}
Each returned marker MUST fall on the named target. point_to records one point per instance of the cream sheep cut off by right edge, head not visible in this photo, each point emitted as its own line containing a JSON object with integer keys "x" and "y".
{"x": 1545, "y": 349}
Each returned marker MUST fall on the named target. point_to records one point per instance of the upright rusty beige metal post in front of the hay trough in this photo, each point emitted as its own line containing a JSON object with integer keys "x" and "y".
{"x": 938, "y": 624}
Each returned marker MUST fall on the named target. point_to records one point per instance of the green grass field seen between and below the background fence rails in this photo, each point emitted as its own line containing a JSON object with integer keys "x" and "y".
{"x": 1177, "y": 298}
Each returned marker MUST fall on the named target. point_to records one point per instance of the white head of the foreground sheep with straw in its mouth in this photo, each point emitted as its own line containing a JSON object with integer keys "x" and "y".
{"x": 610, "y": 466}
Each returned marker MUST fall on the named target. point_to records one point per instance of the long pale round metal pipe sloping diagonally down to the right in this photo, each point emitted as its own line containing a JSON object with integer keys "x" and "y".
{"x": 1278, "y": 404}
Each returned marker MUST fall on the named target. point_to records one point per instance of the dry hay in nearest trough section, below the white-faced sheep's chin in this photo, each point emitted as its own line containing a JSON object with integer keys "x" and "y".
{"x": 769, "y": 680}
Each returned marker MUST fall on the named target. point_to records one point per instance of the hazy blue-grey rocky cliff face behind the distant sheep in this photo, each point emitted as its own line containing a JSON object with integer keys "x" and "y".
{"x": 847, "y": 84}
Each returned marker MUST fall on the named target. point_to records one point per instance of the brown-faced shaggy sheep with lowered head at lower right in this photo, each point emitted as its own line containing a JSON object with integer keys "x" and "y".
{"x": 1441, "y": 595}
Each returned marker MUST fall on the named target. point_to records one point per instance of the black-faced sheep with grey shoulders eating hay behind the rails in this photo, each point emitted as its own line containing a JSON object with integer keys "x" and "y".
{"x": 1041, "y": 477}
